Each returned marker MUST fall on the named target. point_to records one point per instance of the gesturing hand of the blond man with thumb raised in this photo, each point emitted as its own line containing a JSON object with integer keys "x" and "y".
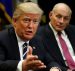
{"x": 32, "y": 62}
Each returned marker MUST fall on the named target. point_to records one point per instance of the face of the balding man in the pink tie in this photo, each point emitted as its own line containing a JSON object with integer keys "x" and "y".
{"x": 60, "y": 19}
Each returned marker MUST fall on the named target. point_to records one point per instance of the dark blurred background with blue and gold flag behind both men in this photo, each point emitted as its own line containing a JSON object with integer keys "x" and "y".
{"x": 7, "y": 7}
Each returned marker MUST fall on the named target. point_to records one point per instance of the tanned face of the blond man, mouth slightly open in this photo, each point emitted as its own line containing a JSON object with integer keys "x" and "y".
{"x": 26, "y": 25}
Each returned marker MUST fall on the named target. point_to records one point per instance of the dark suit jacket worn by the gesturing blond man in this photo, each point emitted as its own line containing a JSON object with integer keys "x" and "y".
{"x": 9, "y": 51}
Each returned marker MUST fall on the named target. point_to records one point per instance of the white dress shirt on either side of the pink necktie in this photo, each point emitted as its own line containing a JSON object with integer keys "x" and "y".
{"x": 66, "y": 39}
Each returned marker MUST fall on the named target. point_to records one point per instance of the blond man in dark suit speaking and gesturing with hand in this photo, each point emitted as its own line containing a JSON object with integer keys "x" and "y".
{"x": 20, "y": 49}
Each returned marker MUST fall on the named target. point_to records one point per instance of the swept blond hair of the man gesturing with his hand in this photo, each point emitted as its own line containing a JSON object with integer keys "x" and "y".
{"x": 27, "y": 7}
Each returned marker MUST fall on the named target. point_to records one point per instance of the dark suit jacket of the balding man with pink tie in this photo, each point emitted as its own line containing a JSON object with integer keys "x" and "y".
{"x": 51, "y": 45}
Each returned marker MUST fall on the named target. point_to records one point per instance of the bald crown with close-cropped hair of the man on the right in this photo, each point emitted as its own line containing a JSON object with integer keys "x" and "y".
{"x": 62, "y": 5}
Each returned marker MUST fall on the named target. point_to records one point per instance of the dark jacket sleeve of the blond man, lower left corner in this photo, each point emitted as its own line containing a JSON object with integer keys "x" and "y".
{"x": 7, "y": 64}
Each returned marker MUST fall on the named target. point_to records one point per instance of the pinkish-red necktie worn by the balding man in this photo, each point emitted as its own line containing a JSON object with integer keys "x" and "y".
{"x": 66, "y": 53}
